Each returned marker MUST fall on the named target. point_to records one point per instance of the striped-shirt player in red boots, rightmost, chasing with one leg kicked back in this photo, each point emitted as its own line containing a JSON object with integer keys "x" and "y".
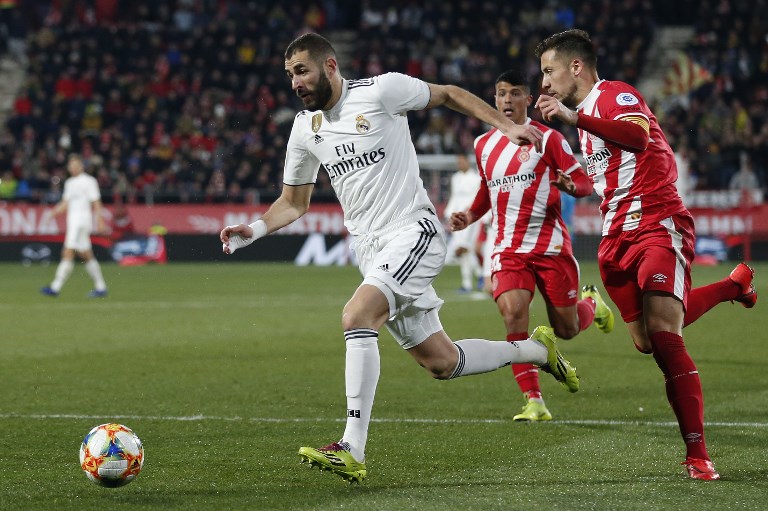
{"x": 648, "y": 239}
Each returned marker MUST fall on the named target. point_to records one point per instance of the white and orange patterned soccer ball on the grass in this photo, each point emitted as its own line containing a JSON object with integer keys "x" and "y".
{"x": 111, "y": 455}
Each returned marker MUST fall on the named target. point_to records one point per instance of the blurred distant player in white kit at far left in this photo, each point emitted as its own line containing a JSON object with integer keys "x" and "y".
{"x": 82, "y": 202}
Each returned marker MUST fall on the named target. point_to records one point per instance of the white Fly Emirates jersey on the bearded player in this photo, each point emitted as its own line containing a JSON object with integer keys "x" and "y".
{"x": 364, "y": 144}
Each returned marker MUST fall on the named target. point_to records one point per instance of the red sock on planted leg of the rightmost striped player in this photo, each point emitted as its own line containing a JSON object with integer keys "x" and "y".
{"x": 683, "y": 390}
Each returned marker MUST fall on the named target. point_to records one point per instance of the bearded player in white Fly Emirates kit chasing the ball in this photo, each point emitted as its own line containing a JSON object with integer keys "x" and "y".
{"x": 358, "y": 131}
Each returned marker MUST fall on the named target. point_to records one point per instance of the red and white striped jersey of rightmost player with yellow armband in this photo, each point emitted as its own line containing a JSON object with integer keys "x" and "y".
{"x": 636, "y": 188}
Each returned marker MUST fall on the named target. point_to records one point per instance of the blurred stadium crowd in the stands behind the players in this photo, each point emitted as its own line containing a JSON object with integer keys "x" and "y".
{"x": 187, "y": 101}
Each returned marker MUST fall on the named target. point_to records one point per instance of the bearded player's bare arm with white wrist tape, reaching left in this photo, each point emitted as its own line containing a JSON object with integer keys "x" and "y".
{"x": 289, "y": 207}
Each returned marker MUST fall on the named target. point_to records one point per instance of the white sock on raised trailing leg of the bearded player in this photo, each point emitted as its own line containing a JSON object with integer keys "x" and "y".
{"x": 481, "y": 356}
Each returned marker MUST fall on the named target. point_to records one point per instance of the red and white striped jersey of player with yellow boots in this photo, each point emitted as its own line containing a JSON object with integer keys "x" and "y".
{"x": 516, "y": 179}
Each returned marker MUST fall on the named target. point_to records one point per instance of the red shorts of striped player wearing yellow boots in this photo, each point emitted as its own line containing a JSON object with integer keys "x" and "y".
{"x": 556, "y": 276}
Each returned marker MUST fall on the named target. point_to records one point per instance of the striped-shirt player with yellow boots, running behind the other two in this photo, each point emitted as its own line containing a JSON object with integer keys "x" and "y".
{"x": 531, "y": 247}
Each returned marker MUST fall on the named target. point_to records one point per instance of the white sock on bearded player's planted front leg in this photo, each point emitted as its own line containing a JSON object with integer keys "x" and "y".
{"x": 361, "y": 377}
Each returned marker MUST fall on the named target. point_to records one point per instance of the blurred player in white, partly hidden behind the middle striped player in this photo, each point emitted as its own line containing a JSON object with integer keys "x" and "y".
{"x": 464, "y": 185}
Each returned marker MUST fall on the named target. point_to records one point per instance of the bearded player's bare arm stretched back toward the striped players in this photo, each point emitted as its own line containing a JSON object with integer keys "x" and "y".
{"x": 467, "y": 103}
